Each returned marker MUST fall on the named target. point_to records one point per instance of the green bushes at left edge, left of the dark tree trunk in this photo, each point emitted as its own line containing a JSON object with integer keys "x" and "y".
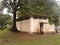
{"x": 4, "y": 20}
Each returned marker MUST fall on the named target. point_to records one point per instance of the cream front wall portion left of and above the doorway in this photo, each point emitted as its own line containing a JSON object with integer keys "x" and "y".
{"x": 36, "y": 24}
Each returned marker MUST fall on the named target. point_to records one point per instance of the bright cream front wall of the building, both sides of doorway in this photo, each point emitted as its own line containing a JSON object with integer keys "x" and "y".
{"x": 46, "y": 26}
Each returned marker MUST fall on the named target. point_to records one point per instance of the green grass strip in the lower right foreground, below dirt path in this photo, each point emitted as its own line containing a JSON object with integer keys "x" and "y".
{"x": 40, "y": 41}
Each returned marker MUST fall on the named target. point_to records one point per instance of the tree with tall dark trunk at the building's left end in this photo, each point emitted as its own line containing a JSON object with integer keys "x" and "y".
{"x": 13, "y": 6}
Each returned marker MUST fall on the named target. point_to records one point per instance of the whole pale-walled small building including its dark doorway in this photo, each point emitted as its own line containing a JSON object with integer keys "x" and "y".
{"x": 35, "y": 25}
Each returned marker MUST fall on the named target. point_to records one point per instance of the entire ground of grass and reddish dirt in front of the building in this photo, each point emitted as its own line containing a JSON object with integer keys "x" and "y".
{"x": 9, "y": 38}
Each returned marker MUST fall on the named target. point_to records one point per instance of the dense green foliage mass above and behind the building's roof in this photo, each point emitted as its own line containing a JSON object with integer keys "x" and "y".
{"x": 39, "y": 7}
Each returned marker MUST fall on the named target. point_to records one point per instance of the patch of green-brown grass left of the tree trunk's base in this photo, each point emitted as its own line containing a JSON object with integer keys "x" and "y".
{"x": 7, "y": 35}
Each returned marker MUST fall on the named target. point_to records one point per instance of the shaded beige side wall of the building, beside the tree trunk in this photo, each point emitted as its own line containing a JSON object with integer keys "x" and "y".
{"x": 24, "y": 26}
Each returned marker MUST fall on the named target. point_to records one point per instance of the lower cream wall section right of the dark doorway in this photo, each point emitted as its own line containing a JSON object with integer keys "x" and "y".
{"x": 48, "y": 28}
